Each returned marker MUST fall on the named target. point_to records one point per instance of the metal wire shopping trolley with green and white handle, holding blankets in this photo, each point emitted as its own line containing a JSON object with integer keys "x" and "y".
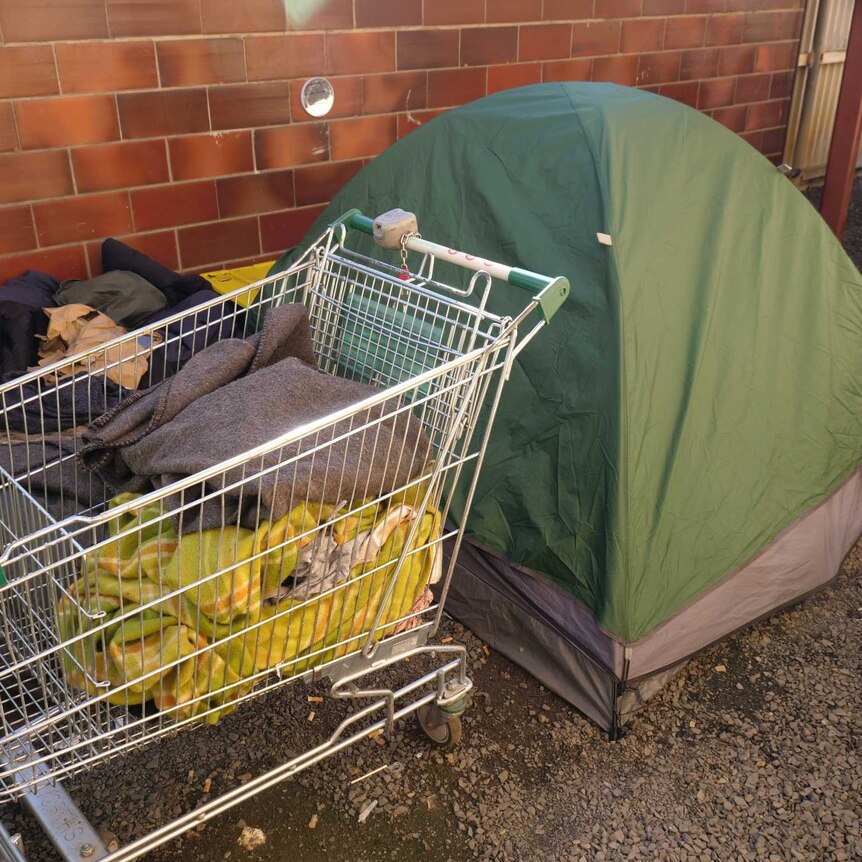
{"x": 433, "y": 352}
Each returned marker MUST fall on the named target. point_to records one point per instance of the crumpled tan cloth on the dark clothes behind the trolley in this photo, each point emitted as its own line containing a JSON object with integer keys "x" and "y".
{"x": 76, "y": 328}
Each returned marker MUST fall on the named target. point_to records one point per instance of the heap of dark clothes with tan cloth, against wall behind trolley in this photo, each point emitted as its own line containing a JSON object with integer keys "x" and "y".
{"x": 43, "y": 321}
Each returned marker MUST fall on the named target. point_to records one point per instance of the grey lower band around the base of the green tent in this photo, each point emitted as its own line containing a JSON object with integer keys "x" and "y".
{"x": 541, "y": 627}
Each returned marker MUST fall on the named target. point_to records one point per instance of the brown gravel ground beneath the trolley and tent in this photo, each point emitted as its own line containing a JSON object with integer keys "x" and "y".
{"x": 752, "y": 752}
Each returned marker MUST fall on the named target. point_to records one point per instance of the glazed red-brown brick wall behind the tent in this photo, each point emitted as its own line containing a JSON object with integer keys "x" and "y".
{"x": 177, "y": 125}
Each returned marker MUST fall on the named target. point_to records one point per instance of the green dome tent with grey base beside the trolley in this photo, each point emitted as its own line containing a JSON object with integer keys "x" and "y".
{"x": 678, "y": 454}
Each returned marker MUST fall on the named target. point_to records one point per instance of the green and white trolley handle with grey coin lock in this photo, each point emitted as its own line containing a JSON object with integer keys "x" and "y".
{"x": 551, "y": 292}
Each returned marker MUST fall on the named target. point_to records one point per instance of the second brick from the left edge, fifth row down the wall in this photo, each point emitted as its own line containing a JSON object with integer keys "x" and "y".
{"x": 73, "y": 219}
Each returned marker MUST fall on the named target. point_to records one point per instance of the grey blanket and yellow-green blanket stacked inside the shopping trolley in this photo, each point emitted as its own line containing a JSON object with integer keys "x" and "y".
{"x": 282, "y": 561}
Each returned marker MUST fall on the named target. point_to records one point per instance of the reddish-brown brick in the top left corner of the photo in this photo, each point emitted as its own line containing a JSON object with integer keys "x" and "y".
{"x": 29, "y": 21}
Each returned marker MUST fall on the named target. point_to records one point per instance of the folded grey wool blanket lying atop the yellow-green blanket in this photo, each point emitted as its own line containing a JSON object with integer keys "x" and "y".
{"x": 239, "y": 394}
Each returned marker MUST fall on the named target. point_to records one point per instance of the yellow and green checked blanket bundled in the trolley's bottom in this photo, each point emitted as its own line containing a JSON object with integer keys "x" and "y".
{"x": 191, "y": 623}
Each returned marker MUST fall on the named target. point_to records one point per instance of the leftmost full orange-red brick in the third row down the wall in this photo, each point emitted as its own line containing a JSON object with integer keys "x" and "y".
{"x": 66, "y": 121}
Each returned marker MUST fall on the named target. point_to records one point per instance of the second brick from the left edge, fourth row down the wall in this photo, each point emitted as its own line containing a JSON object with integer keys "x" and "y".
{"x": 122, "y": 165}
